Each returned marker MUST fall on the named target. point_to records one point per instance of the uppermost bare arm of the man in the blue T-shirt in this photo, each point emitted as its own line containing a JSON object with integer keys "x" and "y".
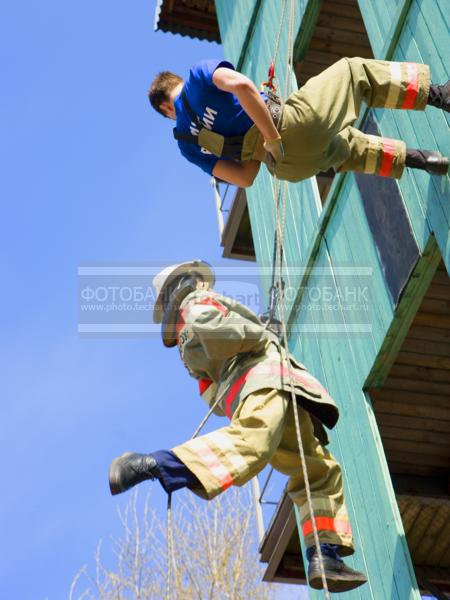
{"x": 245, "y": 91}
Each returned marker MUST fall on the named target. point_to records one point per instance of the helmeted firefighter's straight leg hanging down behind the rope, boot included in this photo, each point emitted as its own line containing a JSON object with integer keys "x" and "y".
{"x": 332, "y": 522}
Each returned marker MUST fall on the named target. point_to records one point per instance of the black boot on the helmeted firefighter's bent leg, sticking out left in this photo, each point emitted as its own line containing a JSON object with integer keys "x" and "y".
{"x": 130, "y": 469}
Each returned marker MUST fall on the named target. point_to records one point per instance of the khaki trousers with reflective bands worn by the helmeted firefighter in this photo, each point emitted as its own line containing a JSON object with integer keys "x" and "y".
{"x": 261, "y": 432}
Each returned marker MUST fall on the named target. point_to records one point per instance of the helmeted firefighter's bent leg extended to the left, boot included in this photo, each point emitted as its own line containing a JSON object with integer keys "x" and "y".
{"x": 211, "y": 463}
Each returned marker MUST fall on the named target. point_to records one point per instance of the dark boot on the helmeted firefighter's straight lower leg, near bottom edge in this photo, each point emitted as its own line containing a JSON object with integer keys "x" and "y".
{"x": 340, "y": 578}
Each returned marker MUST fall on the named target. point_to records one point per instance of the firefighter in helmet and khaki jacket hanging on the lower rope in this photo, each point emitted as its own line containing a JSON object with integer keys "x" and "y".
{"x": 243, "y": 370}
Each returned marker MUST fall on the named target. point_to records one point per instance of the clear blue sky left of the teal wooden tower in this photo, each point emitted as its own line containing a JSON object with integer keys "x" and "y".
{"x": 89, "y": 174}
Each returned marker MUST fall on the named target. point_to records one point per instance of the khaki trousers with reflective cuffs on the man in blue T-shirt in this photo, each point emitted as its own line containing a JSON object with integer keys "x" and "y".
{"x": 316, "y": 125}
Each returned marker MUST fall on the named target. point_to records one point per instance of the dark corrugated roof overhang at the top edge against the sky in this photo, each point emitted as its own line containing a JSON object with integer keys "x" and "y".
{"x": 192, "y": 18}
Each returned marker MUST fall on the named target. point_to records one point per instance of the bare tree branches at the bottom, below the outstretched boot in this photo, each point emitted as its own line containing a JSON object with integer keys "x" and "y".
{"x": 215, "y": 553}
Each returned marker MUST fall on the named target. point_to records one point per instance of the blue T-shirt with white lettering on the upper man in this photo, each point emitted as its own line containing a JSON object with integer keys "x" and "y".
{"x": 217, "y": 110}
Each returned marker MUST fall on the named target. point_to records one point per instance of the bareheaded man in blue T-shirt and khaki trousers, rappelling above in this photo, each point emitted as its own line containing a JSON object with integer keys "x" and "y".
{"x": 227, "y": 128}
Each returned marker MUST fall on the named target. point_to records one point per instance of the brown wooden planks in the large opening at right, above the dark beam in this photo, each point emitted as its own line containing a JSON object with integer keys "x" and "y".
{"x": 416, "y": 393}
